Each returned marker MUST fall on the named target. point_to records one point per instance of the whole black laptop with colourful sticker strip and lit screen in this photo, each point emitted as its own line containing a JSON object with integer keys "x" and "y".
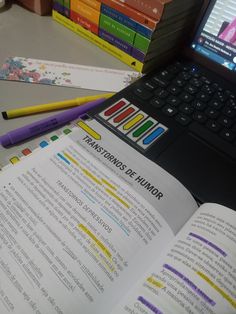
{"x": 182, "y": 115}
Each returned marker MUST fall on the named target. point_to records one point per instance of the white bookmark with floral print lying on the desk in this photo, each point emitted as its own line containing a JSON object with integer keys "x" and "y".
{"x": 66, "y": 74}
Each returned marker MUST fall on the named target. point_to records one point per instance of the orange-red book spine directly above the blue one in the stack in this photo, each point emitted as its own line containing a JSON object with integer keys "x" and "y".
{"x": 131, "y": 13}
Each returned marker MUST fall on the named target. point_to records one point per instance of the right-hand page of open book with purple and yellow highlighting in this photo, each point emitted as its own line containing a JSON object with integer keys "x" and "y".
{"x": 197, "y": 274}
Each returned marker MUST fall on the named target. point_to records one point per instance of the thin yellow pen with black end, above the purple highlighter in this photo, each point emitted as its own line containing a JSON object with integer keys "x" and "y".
{"x": 25, "y": 111}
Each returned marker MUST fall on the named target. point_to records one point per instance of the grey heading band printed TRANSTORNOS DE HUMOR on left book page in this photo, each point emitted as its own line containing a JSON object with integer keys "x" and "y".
{"x": 161, "y": 190}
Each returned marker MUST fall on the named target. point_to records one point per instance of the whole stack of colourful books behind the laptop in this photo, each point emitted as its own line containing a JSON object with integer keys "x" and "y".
{"x": 139, "y": 33}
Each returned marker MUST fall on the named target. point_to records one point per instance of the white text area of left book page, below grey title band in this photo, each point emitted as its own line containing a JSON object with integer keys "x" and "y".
{"x": 73, "y": 235}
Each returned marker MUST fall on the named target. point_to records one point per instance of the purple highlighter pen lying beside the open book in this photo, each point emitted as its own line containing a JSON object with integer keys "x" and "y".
{"x": 44, "y": 125}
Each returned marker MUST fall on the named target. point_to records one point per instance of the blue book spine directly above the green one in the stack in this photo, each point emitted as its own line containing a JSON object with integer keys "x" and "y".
{"x": 125, "y": 20}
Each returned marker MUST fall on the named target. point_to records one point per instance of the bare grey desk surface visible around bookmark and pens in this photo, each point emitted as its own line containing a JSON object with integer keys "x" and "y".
{"x": 26, "y": 34}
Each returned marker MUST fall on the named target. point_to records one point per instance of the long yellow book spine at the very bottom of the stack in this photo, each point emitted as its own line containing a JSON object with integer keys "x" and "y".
{"x": 114, "y": 51}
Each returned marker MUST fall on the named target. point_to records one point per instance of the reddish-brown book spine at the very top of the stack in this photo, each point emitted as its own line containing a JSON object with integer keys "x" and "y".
{"x": 153, "y": 8}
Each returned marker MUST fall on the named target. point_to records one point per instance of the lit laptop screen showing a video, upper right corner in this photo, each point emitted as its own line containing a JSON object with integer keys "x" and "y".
{"x": 216, "y": 35}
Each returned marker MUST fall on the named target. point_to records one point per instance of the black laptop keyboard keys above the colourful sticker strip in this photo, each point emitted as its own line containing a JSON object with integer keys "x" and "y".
{"x": 195, "y": 101}
